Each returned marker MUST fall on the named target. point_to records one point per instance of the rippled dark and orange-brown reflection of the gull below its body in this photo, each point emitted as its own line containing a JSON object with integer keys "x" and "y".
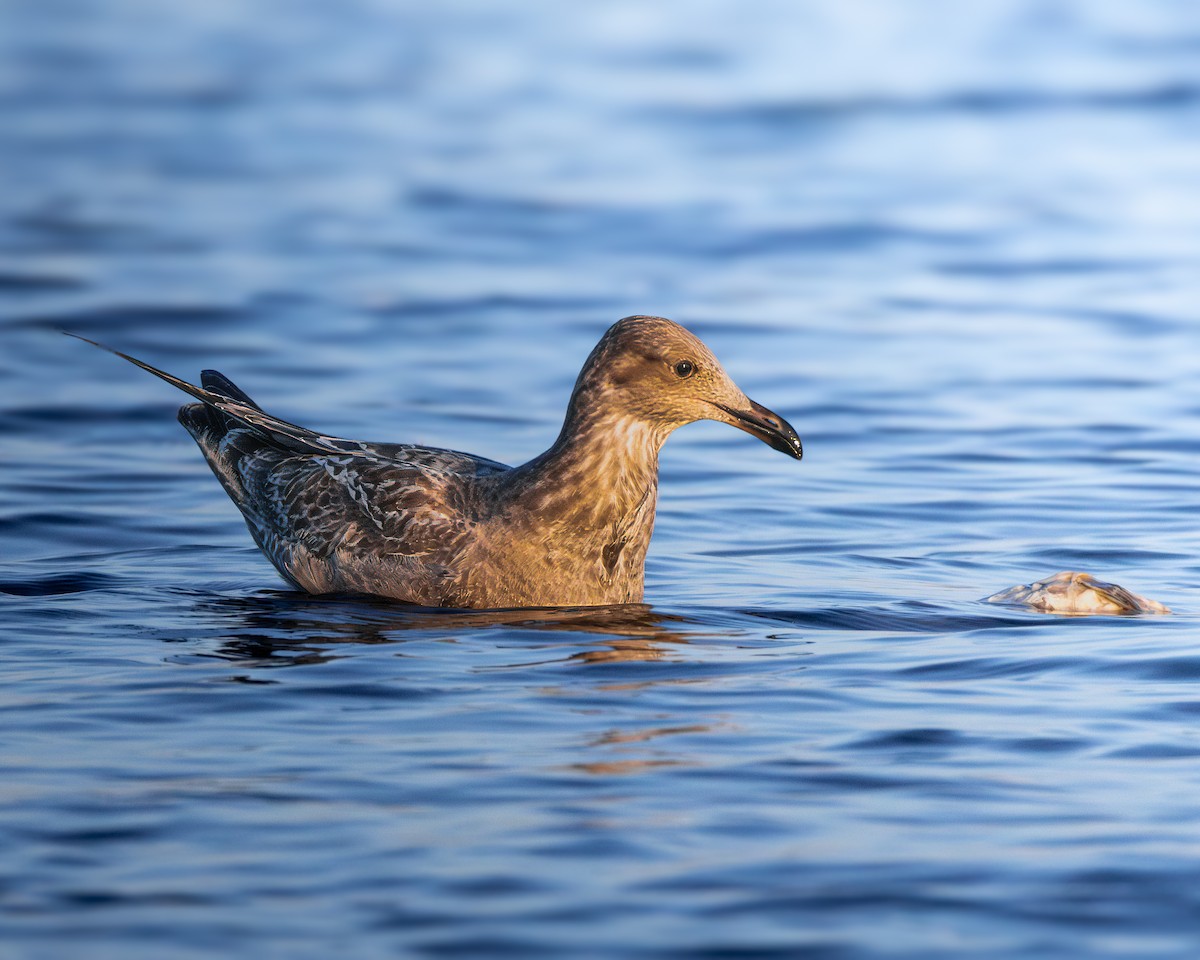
{"x": 283, "y": 629}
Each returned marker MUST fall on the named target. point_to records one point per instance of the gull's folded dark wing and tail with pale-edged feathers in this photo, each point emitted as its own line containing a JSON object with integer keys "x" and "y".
{"x": 322, "y": 506}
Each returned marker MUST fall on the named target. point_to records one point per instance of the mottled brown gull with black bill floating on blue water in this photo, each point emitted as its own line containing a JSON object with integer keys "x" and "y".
{"x": 443, "y": 529}
